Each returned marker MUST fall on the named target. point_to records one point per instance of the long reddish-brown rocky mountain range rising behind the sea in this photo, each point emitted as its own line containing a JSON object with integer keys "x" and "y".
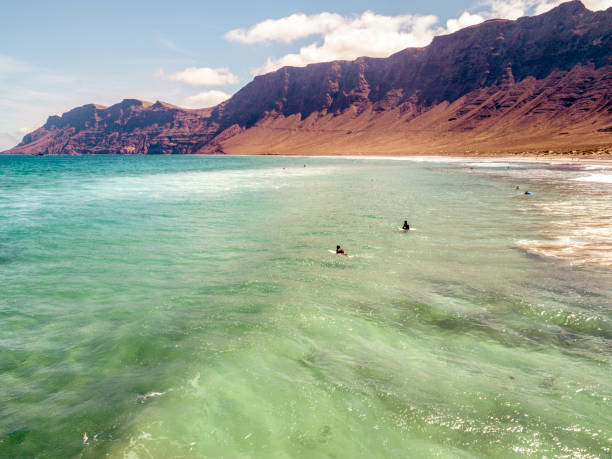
{"x": 543, "y": 80}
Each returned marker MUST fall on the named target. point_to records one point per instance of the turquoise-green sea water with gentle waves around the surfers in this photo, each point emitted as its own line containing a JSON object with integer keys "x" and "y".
{"x": 189, "y": 307}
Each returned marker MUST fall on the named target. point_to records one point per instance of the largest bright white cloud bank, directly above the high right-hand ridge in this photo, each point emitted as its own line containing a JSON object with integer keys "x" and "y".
{"x": 374, "y": 35}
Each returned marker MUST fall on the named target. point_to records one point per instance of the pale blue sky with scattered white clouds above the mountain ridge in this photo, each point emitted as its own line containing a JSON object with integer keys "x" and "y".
{"x": 57, "y": 55}
